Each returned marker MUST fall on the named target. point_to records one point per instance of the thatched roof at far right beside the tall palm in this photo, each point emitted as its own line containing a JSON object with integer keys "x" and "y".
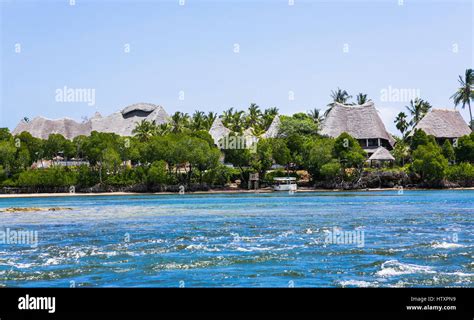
{"x": 443, "y": 123}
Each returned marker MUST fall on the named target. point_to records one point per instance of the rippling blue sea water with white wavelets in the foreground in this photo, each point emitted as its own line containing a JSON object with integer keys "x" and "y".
{"x": 418, "y": 238}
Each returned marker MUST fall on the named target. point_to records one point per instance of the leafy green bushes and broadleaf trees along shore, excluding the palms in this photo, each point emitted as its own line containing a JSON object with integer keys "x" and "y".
{"x": 192, "y": 158}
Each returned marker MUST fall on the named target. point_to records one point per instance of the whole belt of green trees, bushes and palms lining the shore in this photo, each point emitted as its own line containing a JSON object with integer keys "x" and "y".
{"x": 182, "y": 152}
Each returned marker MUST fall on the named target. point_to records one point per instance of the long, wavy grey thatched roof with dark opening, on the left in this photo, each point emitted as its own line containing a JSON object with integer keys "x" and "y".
{"x": 122, "y": 122}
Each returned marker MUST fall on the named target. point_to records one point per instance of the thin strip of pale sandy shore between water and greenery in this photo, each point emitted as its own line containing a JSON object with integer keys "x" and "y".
{"x": 305, "y": 190}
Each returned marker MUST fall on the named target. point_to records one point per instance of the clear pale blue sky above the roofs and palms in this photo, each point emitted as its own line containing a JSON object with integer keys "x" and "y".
{"x": 190, "y": 49}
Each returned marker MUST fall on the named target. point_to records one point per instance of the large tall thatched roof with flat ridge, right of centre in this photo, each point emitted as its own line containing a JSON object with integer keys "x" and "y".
{"x": 361, "y": 122}
